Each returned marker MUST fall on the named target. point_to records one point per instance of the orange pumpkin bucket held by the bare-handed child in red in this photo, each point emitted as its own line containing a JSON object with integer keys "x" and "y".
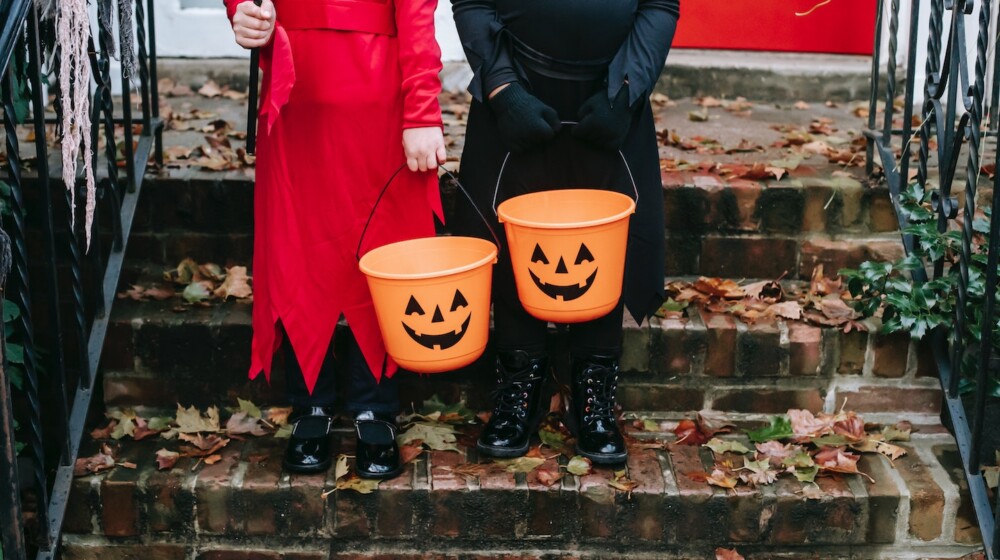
{"x": 432, "y": 300}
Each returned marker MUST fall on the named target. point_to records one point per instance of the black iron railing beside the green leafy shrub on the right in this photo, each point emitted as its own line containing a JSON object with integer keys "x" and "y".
{"x": 957, "y": 125}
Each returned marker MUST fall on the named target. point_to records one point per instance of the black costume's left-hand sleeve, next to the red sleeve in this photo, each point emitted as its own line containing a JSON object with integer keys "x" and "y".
{"x": 479, "y": 27}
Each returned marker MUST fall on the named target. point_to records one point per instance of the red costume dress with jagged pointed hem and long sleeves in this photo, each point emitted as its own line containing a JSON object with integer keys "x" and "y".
{"x": 342, "y": 79}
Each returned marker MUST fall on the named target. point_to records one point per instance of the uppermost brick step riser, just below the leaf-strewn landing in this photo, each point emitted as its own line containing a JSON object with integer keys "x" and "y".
{"x": 209, "y": 216}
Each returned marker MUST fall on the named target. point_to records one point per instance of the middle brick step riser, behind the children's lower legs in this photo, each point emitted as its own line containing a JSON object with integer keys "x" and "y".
{"x": 156, "y": 356}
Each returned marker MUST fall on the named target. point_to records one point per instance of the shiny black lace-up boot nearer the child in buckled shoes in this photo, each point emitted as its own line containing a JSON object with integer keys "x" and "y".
{"x": 517, "y": 411}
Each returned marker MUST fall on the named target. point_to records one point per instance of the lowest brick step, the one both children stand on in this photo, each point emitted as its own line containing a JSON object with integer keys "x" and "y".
{"x": 244, "y": 506}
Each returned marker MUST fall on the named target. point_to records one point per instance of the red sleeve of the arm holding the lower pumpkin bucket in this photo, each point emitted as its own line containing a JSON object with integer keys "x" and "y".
{"x": 420, "y": 61}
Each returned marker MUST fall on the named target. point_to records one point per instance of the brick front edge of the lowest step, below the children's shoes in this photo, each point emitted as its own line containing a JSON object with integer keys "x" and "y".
{"x": 915, "y": 501}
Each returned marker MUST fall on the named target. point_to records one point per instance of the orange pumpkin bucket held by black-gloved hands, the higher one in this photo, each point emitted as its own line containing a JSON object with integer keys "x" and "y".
{"x": 567, "y": 249}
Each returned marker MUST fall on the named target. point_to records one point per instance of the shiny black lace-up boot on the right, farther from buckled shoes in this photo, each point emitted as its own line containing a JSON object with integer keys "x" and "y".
{"x": 595, "y": 382}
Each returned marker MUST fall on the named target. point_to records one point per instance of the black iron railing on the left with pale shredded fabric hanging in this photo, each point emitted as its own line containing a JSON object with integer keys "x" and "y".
{"x": 61, "y": 289}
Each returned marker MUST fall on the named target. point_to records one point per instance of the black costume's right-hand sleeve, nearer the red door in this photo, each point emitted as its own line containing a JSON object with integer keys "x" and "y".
{"x": 641, "y": 58}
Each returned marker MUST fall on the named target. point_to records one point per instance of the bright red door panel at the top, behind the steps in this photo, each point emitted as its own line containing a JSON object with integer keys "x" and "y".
{"x": 824, "y": 26}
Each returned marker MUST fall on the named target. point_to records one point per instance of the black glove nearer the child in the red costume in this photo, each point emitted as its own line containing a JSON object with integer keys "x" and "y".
{"x": 524, "y": 121}
